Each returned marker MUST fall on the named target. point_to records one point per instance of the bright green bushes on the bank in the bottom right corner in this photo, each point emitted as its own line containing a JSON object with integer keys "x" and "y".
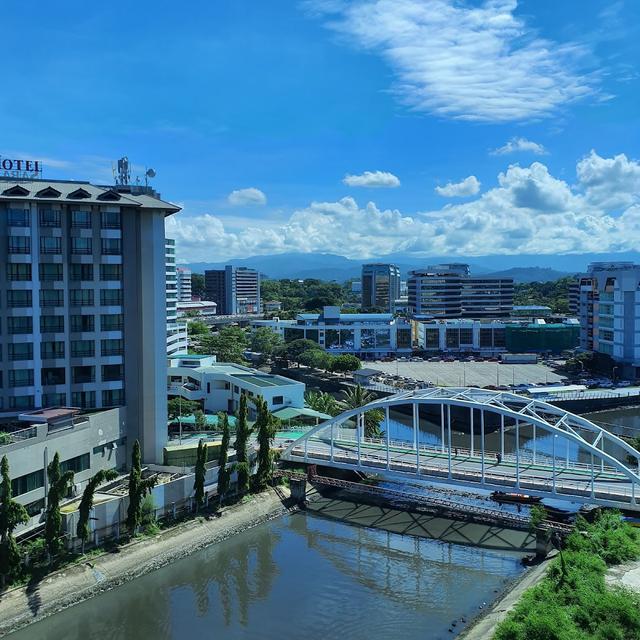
{"x": 573, "y": 601}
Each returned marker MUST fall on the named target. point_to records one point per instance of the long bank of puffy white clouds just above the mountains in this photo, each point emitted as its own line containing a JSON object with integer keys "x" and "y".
{"x": 528, "y": 211}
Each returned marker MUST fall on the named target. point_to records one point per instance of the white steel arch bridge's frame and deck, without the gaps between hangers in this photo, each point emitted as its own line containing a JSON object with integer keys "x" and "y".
{"x": 615, "y": 482}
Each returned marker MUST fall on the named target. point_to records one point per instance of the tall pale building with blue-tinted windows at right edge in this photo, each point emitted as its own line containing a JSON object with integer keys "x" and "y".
{"x": 610, "y": 313}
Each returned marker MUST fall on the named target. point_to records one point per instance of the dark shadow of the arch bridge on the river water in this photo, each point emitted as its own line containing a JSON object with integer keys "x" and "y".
{"x": 423, "y": 525}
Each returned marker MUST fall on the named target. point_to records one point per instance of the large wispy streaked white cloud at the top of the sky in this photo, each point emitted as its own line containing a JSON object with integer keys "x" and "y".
{"x": 456, "y": 60}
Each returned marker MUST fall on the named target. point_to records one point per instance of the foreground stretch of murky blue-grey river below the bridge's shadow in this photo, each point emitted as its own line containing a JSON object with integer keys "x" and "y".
{"x": 300, "y": 576}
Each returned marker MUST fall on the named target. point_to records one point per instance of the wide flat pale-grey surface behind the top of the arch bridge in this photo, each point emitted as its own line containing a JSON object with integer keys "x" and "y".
{"x": 460, "y": 374}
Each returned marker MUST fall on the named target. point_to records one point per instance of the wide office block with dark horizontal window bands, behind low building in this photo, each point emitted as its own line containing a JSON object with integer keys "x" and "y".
{"x": 450, "y": 291}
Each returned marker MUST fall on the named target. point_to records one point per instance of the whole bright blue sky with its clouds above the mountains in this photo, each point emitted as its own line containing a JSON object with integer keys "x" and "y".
{"x": 467, "y": 127}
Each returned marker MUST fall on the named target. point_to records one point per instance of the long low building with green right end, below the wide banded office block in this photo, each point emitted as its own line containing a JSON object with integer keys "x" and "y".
{"x": 492, "y": 337}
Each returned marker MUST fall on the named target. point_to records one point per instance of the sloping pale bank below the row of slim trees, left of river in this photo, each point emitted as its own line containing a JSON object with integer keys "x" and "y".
{"x": 73, "y": 584}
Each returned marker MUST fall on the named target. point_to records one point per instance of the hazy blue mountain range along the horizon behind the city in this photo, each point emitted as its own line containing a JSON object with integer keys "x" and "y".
{"x": 327, "y": 266}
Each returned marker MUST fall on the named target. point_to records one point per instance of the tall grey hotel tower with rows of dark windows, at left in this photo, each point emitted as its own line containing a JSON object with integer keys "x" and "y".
{"x": 83, "y": 302}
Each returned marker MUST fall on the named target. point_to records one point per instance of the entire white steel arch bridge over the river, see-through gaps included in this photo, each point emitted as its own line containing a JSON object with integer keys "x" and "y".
{"x": 479, "y": 438}
